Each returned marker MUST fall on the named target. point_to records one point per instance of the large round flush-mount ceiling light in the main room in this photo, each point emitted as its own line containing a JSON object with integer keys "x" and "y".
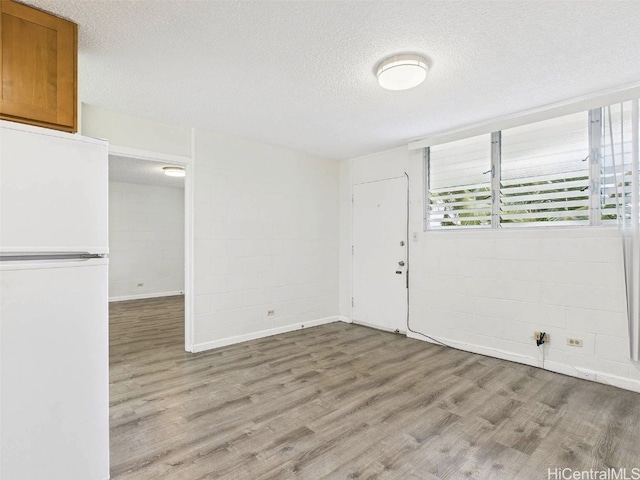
{"x": 402, "y": 72}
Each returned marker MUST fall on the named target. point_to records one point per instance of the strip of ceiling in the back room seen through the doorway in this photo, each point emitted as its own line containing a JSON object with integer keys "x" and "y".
{"x": 144, "y": 172}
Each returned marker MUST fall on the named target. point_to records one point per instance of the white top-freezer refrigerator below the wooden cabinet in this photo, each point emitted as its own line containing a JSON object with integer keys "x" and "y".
{"x": 54, "y": 368}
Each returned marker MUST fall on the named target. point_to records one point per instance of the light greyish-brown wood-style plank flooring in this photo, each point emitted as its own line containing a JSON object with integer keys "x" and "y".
{"x": 341, "y": 401}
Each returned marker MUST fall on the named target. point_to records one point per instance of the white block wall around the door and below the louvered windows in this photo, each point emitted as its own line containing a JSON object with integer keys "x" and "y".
{"x": 487, "y": 291}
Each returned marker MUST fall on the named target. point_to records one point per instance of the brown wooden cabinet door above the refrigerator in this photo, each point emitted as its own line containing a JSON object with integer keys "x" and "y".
{"x": 38, "y": 64}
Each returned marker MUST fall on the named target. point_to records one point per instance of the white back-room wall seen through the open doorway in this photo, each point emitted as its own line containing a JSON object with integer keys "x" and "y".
{"x": 146, "y": 241}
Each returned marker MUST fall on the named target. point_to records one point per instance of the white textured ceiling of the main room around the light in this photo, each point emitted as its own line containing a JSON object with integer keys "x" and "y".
{"x": 300, "y": 74}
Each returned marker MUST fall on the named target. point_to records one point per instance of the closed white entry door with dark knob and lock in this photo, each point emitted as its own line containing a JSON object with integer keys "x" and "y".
{"x": 380, "y": 254}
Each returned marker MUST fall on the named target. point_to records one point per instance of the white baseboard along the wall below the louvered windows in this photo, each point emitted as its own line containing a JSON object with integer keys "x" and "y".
{"x": 570, "y": 370}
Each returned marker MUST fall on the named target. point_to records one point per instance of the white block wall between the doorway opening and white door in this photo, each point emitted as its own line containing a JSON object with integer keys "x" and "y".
{"x": 266, "y": 237}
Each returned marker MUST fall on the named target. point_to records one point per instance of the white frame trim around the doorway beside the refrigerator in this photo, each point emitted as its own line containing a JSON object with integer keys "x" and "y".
{"x": 188, "y": 164}
